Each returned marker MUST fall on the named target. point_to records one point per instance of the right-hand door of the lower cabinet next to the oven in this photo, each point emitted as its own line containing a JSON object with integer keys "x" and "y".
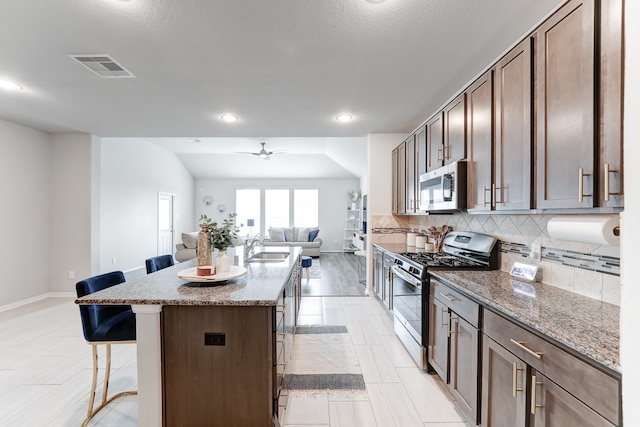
{"x": 463, "y": 368}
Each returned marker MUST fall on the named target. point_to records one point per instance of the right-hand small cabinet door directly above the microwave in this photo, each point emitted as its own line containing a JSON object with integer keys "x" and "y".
{"x": 455, "y": 130}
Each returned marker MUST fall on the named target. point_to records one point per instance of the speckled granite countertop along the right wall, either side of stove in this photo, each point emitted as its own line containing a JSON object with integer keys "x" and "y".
{"x": 587, "y": 326}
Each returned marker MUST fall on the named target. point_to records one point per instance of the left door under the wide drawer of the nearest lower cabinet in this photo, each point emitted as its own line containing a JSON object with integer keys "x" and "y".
{"x": 503, "y": 387}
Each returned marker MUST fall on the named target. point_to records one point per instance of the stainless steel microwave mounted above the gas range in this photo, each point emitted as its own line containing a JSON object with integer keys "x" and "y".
{"x": 444, "y": 189}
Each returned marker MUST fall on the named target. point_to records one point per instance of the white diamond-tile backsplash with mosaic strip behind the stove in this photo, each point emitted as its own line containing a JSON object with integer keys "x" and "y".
{"x": 523, "y": 229}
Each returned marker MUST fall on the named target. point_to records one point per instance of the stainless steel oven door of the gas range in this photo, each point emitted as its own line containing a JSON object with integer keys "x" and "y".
{"x": 408, "y": 313}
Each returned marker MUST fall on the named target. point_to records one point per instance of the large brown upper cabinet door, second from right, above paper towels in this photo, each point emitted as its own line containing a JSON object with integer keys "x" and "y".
{"x": 565, "y": 114}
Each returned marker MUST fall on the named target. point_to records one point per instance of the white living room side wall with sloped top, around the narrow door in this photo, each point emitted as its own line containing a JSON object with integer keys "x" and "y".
{"x": 133, "y": 172}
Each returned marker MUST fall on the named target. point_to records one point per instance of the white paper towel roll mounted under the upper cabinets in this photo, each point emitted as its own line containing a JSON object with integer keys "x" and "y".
{"x": 598, "y": 230}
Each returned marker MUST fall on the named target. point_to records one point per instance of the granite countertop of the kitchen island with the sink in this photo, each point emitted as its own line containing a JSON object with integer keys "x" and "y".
{"x": 261, "y": 286}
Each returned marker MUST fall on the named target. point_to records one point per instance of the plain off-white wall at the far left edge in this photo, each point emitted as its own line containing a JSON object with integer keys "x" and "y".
{"x": 24, "y": 180}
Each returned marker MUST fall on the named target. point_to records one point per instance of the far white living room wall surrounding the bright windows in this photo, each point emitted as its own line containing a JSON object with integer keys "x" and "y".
{"x": 332, "y": 203}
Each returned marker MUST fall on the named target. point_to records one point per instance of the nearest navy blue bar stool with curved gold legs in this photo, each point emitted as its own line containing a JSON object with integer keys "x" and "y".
{"x": 104, "y": 325}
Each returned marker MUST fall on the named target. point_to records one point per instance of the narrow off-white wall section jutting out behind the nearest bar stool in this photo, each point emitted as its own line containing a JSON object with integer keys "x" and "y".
{"x": 72, "y": 210}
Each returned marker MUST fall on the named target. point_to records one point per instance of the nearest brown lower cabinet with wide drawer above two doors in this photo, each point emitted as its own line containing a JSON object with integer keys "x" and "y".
{"x": 528, "y": 381}
